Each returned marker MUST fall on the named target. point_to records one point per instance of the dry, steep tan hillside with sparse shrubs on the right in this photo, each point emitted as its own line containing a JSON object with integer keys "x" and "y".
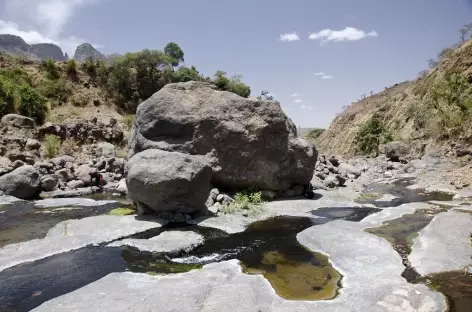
{"x": 433, "y": 111}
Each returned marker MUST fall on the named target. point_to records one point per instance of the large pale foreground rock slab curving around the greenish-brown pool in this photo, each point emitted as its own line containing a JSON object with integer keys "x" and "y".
{"x": 371, "y": 269}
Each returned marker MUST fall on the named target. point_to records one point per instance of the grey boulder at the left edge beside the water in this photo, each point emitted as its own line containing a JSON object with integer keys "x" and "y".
{"x": 23, "y": 183}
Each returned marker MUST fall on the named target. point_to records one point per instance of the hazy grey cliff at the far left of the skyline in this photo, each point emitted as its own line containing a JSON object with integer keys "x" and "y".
{"x": 16, "y": 46}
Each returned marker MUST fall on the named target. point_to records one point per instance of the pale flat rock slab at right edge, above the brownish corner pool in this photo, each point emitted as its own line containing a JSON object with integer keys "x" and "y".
{"x": 444, "y": 244}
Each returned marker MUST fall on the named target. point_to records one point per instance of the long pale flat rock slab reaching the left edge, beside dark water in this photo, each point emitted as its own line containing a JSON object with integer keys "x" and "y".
{"x": 71, "y": 235}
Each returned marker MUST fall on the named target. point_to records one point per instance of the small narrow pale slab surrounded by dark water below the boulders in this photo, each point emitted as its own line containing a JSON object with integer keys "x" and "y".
{"x": 171, "y": 242}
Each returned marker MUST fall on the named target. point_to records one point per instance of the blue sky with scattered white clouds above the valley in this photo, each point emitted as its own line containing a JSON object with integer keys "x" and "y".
{"x": 356, "y": 46}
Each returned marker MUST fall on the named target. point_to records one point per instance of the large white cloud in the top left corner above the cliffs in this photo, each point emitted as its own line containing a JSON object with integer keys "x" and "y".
{"x": 42, "y": 21}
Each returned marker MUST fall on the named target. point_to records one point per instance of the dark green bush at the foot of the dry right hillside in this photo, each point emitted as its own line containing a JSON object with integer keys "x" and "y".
{"x": 371, "y": 135}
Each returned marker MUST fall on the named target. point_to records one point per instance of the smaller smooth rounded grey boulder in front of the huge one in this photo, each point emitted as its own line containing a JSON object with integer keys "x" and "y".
{"x": 168, "y": 181}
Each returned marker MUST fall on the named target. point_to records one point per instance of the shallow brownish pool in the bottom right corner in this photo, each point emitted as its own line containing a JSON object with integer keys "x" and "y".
{"x": 456, "y": 286}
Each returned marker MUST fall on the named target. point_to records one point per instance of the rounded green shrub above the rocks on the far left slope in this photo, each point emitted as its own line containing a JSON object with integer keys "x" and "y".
{"x": 32, "y": 104}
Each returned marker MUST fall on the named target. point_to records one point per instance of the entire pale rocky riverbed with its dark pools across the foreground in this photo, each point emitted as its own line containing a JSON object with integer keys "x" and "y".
{"x": 340, "y": 250}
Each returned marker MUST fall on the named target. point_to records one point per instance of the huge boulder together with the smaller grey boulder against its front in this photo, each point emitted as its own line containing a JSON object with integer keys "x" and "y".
{"x": 190, "y": 136}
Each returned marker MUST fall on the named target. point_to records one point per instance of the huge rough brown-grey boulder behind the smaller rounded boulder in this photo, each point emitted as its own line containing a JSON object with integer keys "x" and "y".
{"x": 248, "y": 142}
